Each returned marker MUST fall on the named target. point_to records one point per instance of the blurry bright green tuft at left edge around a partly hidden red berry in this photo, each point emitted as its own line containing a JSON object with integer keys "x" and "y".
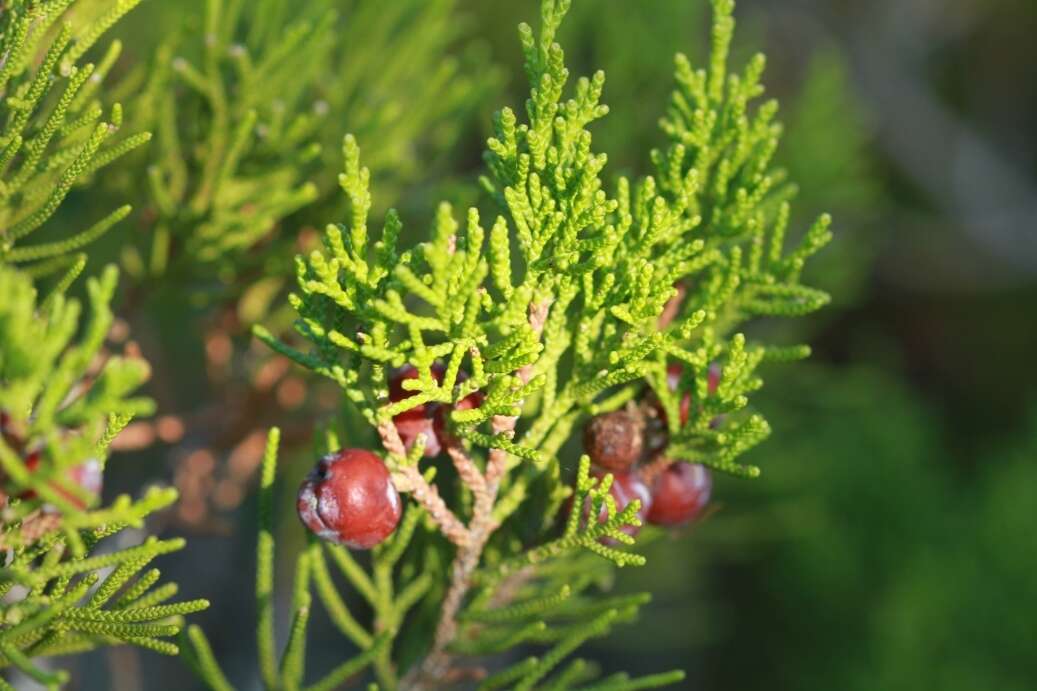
{"x": 52, "y": 391}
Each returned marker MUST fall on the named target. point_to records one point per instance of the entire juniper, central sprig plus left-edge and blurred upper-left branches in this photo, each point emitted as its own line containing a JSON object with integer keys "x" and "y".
{"x": 581, "y": 298}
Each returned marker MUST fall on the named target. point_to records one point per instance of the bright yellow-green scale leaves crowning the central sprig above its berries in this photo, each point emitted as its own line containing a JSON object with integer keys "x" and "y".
{"x": 603, "y": 268}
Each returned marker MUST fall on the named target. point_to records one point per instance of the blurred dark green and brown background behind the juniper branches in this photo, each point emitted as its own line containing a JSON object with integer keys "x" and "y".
{"x": 891, "y": 542}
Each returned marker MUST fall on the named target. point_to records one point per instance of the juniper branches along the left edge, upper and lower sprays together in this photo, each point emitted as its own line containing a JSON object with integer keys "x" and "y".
{"x": 69, "y": 581}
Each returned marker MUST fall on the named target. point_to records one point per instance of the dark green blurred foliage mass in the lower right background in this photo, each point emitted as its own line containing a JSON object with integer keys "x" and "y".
{"x": 889, "y": 572}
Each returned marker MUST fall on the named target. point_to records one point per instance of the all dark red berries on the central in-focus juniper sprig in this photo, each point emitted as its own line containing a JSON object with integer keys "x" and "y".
{"x": 349, "y": 499}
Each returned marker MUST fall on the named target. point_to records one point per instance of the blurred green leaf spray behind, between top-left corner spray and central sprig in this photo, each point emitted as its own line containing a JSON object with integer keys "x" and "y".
{"x": 242, "y": 107}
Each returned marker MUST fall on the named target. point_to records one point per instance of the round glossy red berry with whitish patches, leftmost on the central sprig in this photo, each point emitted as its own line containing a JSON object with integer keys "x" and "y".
{"x": 349, "y": 500}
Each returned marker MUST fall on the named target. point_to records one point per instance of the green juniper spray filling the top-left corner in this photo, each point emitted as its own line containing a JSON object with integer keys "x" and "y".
{"x": 54, "y": 132}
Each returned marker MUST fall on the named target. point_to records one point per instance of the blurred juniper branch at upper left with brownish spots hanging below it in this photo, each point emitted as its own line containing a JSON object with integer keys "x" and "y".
{"x": 244, "y": 99}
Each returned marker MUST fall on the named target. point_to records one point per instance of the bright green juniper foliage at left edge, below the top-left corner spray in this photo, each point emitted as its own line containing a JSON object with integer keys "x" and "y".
{"x": 64, "y": 399}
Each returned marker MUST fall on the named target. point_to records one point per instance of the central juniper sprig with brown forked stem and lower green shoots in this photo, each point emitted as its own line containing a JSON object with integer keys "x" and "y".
{"x": 575, "y": 302}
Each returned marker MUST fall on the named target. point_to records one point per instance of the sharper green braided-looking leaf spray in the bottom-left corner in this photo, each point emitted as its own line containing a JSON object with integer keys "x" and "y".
{"x": 69, "y": 601}
